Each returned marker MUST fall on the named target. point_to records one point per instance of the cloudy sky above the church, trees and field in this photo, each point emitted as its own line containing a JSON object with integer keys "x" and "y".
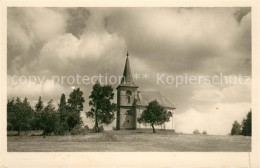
{"x": 171, "y": 42}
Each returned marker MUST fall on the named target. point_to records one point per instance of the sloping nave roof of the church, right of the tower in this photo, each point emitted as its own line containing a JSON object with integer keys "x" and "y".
{"x": 144, "y": 97}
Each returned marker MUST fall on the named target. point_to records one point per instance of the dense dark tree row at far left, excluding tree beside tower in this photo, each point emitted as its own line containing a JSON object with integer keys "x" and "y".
{"x": 22, "y": 117}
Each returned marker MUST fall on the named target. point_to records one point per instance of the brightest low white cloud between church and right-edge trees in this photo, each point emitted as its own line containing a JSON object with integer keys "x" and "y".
{"x": 218, "y": 120}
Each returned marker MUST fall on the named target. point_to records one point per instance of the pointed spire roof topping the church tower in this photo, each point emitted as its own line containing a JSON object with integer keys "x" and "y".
{"x": 127, "y": 79}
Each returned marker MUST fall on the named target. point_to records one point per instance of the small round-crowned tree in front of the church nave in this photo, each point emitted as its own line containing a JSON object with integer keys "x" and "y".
{"x": 154, "y": 114}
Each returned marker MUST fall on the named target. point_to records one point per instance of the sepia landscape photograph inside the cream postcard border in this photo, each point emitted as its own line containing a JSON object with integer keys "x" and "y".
{"x": 129, "y": 79}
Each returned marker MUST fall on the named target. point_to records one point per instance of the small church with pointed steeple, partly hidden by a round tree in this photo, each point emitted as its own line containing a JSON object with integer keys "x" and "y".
{"x": 131, "y": 102}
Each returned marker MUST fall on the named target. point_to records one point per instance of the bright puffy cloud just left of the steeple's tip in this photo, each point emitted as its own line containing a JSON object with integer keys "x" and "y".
{"x": 68, "y": 50}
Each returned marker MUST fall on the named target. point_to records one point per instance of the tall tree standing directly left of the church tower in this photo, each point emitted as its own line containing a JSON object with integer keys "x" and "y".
{"x": 102, "y": 109}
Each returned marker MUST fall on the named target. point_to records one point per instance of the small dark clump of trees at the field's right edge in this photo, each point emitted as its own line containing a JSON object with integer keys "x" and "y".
{"x": 245, "y": 128}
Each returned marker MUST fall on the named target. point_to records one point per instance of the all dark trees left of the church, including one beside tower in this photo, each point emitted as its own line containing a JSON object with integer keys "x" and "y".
{"x": 21, "y": 116}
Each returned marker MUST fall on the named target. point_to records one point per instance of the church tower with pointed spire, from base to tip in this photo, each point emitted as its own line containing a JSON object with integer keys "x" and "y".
{"x": 126, "y": 96}
